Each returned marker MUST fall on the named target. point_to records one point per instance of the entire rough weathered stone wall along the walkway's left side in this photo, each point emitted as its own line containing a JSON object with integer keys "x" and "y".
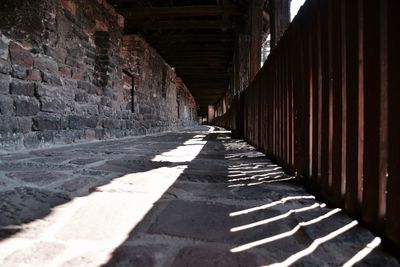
{"x": 67, "y": 75}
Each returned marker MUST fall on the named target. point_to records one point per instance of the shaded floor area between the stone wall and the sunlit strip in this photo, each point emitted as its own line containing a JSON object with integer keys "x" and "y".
{"x": 33, "y": 184}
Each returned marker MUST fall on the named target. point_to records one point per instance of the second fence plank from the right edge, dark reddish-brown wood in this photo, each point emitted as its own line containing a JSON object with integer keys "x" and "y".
{"x": 375, "y": 159}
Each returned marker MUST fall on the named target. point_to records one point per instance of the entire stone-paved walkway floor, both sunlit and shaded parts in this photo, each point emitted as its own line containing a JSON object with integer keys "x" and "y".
{"x": 188, "y": 198}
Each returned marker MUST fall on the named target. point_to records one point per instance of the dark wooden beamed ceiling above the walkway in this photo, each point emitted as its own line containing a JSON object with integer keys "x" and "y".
{"x": 196, "y": 37}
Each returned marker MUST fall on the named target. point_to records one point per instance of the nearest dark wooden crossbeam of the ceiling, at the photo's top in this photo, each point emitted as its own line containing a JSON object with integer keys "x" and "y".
{"x": 179, "y": 11}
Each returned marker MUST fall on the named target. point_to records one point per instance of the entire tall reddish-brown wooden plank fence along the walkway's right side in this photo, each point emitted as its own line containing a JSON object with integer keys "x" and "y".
{"x": 326, "y": 105}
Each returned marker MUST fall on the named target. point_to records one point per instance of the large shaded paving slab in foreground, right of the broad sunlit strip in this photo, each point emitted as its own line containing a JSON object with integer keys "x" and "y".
{"x": 211, "y": 222}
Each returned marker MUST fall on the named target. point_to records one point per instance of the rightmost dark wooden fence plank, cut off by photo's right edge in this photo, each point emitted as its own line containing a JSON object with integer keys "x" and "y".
{"x": 392, "y": 227}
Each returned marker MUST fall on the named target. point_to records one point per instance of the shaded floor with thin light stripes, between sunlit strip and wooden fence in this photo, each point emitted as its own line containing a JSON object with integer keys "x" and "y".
{"x": 231, "y": 206}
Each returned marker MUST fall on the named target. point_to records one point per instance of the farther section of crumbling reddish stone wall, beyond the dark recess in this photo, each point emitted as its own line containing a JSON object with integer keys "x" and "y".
{"x": 161, "y": 99}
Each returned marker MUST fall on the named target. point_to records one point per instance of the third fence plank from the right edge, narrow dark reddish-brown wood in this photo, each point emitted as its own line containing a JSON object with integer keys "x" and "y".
{"x": 353, "y": 82}
